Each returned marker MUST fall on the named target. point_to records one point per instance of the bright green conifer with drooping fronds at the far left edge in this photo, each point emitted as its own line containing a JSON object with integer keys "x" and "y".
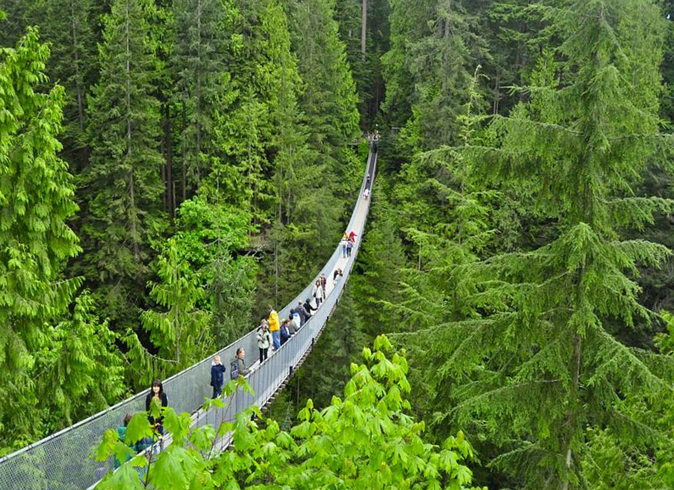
{"x": 37, "y": 199}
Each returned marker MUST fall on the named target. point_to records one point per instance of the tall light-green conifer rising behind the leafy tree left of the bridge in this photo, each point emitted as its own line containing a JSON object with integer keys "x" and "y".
{"x": 241, "y": 164}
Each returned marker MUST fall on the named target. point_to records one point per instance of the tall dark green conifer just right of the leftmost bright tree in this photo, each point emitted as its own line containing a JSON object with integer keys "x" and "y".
{"x": 122, "y": 185}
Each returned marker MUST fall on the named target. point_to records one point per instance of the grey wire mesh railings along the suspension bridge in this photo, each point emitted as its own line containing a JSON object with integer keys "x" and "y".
{"x": 63, "y": 461}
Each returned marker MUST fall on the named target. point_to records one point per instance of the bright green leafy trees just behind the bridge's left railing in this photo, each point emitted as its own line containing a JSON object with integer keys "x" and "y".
{"x": 201, "y": 293}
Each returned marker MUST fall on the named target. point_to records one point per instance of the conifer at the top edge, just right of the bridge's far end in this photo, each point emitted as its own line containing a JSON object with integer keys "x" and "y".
{"x": 428, "y": 71}
